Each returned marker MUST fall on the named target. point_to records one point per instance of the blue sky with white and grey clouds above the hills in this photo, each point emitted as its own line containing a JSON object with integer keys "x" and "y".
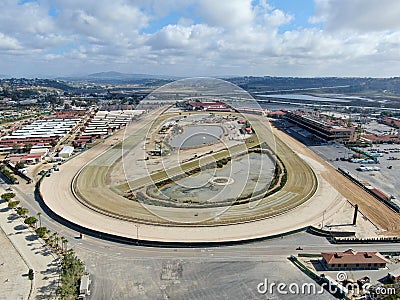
{"x": 200, "y": 37}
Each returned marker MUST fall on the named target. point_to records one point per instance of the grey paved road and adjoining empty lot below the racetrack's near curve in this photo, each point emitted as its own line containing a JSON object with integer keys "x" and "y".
{"x": 121, "y": 271}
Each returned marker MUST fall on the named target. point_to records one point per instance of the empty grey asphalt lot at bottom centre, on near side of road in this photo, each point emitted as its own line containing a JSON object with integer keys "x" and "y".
{"x": 201, "y": 279}
